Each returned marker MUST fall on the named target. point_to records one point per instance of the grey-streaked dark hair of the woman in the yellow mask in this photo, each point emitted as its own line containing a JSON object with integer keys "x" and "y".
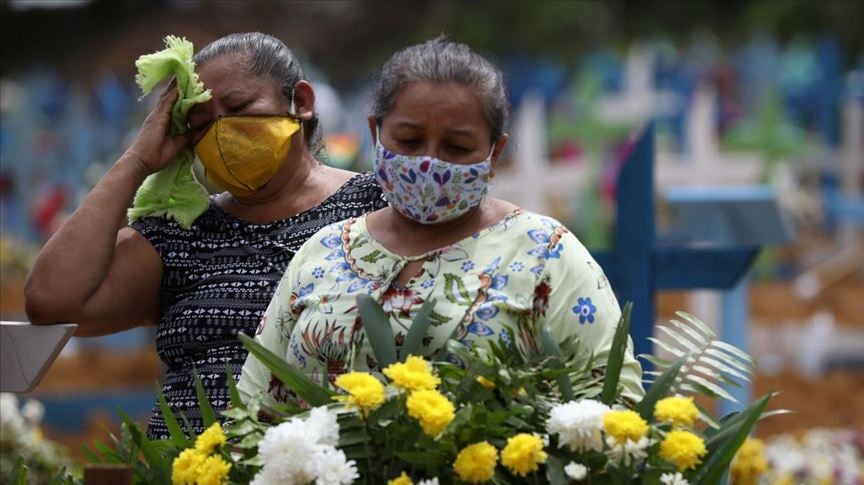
{"x": 267, "y": 55}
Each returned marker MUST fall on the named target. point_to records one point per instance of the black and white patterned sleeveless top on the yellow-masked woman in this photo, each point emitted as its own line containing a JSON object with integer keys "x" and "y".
{"x": 218, "y": 278}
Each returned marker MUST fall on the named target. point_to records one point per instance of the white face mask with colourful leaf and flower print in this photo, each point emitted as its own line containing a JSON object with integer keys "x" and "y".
{"x": 430, "y": 190}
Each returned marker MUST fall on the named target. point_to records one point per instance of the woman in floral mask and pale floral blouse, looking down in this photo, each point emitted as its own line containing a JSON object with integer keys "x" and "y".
{"x": 438, "y": 119}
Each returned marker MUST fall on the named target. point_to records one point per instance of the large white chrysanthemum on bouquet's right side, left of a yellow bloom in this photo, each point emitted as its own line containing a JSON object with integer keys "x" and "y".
{"x": 578, "y": 424}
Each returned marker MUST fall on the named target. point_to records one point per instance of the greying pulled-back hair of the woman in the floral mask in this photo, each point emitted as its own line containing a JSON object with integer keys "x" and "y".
{"x": 441, "y": 61}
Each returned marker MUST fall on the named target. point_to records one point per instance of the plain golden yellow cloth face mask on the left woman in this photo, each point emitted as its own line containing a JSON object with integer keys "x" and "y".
{"x": 242, "y": 153}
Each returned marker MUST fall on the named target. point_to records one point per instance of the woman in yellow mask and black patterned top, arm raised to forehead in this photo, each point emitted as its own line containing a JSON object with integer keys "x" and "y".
{"x": 203, "y": 285}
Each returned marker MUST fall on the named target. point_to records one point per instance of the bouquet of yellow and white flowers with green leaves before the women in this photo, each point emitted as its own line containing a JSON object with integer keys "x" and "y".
{"x": 468, "y": 415}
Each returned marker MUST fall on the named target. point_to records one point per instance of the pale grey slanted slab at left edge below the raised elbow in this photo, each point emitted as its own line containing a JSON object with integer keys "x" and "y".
{"x": 27, "y": 351}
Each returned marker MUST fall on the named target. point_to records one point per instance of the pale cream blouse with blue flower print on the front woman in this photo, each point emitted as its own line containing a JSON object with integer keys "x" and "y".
{"x": 523, "y": 271}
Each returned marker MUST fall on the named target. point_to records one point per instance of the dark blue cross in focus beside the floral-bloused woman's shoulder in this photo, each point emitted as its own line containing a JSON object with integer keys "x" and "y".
{"x": 638, "y": 266}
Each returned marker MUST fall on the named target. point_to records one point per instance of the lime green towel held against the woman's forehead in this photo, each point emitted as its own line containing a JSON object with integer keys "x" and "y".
{"x": 173, "y": 191}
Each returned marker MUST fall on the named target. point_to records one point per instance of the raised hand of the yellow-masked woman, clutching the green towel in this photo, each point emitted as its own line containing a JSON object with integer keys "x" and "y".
{"x": 153, "y": 147}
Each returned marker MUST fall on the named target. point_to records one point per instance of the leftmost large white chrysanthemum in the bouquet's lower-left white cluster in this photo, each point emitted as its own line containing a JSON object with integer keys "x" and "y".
{"x": 287, "y": 451}
